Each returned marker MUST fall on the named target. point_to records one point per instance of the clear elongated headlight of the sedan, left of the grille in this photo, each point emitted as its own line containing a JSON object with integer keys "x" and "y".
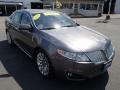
{"x": 74, "y": 56}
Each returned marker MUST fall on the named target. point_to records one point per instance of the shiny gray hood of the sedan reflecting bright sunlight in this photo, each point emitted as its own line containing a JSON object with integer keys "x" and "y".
{"x": 77, "y": 39}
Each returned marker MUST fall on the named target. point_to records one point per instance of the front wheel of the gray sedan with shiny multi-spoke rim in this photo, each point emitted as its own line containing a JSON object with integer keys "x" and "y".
{"x": 44, "y": 65}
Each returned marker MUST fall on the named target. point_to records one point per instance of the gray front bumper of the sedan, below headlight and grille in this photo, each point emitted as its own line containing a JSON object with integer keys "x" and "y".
{"x": 74, "y": 70}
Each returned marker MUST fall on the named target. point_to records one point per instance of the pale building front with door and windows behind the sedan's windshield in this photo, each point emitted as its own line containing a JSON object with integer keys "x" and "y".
{"x": 79, "y": 7}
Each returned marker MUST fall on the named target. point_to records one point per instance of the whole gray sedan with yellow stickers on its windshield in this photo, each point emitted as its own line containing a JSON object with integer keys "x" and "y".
{"x": 58, "y": 44}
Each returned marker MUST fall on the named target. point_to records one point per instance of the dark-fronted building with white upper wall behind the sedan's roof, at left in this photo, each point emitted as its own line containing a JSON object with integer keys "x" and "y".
{"x": 8, "y": 6}
